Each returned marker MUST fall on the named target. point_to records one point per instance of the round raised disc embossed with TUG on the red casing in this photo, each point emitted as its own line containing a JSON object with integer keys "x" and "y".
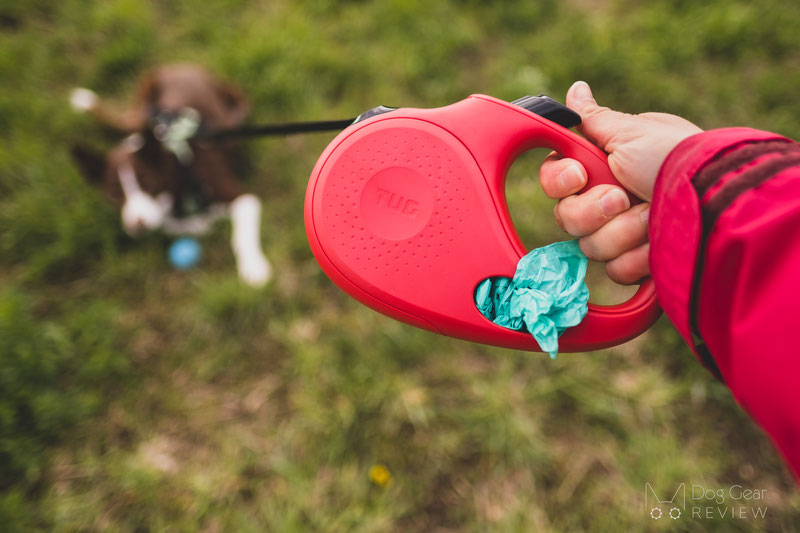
{"x": 397, "y": 203}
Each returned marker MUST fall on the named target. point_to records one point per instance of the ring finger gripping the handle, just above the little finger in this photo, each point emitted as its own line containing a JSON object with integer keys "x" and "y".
{"x": 622, "y": 233}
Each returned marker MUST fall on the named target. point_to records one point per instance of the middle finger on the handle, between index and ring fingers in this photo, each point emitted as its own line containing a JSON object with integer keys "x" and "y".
{"x": 582, "y": 214}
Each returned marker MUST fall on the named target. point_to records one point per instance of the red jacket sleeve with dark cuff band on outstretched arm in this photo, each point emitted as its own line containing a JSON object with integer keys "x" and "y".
{"x": 725, "y": 257}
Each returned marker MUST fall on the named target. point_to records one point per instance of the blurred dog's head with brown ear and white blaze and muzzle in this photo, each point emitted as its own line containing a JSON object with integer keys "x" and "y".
{"x": 139, "y": 176}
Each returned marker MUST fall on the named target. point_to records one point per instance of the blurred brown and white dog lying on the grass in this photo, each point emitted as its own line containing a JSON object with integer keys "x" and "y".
{"x": 162, "y": 177}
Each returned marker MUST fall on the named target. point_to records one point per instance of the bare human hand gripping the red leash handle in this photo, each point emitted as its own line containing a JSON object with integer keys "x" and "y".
{"x": 609, "y": 229}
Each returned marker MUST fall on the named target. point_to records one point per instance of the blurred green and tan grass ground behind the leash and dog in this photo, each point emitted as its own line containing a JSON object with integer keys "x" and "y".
{"x": 137, "y": 398}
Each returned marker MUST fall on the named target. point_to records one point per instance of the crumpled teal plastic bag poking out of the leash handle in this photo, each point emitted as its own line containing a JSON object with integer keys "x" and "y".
{"x": 547, "y": 294}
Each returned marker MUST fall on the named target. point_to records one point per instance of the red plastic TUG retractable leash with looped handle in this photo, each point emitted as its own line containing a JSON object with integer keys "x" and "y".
{"x": 406, "y": 212}
